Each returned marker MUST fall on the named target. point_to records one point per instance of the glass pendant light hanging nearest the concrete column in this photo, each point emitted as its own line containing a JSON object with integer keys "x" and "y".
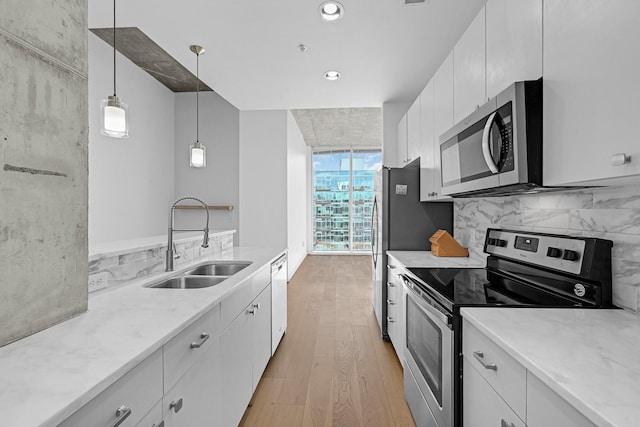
{"x": 114, "y": 114}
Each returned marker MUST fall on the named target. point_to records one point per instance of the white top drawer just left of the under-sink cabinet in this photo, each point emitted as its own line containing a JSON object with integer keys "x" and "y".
{"x": 188, "y": 346}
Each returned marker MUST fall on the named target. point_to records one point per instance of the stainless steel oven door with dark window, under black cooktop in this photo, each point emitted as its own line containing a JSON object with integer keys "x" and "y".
{"x": 429, "y": 353}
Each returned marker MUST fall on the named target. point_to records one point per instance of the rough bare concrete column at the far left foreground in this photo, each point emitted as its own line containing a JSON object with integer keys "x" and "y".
{"x": 43, "y": 158}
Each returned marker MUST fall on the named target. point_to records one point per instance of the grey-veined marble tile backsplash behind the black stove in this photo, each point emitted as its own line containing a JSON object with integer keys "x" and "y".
{"x": 608, "y": 213}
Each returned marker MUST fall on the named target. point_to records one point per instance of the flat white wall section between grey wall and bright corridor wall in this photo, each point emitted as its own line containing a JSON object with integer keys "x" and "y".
{"x": 263, "y": 178}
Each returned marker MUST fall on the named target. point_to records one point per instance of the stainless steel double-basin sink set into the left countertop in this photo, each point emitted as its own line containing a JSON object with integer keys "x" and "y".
{"x": 202, "y": 276}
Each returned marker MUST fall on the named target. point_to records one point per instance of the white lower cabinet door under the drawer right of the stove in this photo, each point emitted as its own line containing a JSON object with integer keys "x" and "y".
{"x": 482, "y": 406}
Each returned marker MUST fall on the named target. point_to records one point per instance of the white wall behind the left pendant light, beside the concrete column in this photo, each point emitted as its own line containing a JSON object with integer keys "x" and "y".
{"x": 131, "y": 181}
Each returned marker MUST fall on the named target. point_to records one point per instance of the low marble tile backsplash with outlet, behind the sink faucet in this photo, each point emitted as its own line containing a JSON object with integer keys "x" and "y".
{"x": 133, "y": 265}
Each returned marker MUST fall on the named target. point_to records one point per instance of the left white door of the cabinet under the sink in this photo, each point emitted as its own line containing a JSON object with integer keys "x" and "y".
{"x": 236, "y": 383}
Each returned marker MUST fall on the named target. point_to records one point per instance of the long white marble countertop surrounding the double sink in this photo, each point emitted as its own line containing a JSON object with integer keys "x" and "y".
{"x": 47, "y": 376}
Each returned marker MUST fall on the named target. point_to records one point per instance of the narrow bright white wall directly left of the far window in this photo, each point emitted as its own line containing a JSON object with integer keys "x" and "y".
{"x": 297, "y": 160}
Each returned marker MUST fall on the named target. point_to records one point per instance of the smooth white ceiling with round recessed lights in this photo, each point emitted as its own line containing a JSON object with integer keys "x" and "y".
{"x": 385, "y": 50}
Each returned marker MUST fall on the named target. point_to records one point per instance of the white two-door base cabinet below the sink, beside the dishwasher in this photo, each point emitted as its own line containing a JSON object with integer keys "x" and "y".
{"x": 245, "y": 352}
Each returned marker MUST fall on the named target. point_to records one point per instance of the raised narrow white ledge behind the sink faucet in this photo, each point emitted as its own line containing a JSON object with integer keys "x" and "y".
{"x": 119, "y": 247}
